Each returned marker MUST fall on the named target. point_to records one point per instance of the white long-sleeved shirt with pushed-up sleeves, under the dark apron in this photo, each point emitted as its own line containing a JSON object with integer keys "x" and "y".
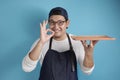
{"x": 29, "y": 65}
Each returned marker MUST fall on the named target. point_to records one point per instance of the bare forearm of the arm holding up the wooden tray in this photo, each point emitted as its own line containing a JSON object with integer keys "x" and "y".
{"x": 88, "y": 60}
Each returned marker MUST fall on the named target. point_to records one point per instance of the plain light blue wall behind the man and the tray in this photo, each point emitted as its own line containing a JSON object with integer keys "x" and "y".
{"x": 19, "y": 28}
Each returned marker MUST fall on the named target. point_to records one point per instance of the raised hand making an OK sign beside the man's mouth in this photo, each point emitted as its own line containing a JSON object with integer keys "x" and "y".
{"x": 44, "y": 37}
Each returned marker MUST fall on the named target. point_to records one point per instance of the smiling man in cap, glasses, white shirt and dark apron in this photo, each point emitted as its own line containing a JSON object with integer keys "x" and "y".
{"x": 57, "y": 52}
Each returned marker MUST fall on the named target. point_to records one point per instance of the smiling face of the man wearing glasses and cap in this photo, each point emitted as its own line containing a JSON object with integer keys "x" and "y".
{"x": 58, "y": 24}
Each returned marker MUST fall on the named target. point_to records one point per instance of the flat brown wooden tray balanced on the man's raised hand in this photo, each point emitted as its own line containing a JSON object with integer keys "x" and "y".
{"x": 95, "y": 37}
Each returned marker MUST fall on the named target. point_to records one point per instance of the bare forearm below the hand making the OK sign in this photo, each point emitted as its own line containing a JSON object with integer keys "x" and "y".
{"x": 34, "y": 54}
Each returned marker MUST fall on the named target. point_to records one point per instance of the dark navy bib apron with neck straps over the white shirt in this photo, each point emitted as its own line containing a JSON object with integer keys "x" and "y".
{"x": 59, "y": 65}
